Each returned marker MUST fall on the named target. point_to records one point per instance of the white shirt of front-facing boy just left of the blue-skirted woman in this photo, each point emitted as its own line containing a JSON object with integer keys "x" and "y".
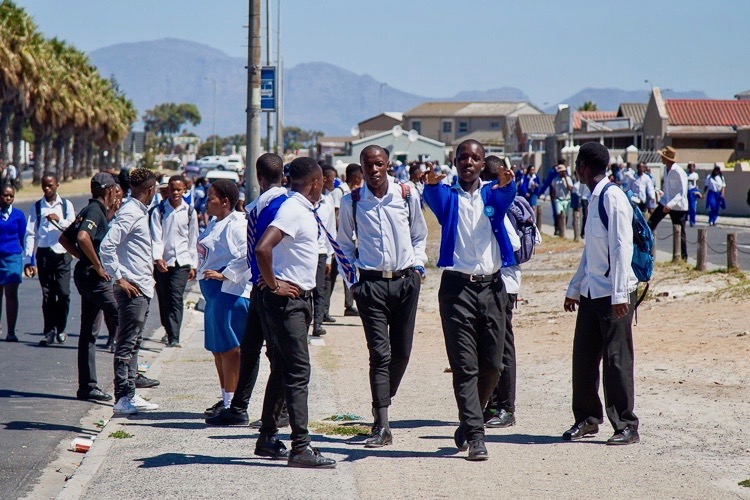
{"x": 175, "y": 235}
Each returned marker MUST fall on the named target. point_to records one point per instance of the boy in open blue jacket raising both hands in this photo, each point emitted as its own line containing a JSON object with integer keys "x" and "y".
{"x": 474, "y": 246}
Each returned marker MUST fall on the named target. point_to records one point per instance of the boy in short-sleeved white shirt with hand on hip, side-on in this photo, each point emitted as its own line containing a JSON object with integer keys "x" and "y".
{"x": 287, "y": 255}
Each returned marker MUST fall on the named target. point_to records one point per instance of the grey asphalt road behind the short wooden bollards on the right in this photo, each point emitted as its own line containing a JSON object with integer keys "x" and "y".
{"x": 717, "y": 239}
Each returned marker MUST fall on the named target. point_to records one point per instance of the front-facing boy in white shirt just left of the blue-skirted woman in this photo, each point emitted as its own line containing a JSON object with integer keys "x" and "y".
{"x": 174, "y": 229}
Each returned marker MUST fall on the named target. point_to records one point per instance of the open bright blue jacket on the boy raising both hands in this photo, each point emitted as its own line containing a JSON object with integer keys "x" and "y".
{"x": 443, "y": 201}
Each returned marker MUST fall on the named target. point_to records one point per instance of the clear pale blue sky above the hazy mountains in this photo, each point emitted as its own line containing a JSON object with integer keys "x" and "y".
{"x": 550, "y": 49}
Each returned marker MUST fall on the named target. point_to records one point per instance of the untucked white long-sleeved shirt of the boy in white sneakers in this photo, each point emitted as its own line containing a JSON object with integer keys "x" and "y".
{"x": 126, "y": 251}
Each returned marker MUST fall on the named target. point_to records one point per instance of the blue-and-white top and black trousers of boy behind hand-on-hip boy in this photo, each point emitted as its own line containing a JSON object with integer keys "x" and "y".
{"x": 260, "y": 213}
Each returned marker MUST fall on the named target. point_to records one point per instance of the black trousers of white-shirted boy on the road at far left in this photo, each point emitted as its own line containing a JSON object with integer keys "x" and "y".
{"x": 54, "y": 277}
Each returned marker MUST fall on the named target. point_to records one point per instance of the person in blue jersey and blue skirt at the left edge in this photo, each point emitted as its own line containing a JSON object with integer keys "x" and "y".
{"x": 12, "y": 235}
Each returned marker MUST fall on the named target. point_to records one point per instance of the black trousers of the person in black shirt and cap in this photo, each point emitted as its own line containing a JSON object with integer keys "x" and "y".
{"x": 96, "y": 297}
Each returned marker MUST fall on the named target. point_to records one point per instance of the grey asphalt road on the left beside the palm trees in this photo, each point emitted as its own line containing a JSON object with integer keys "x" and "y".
{"x": 38, "y": 407}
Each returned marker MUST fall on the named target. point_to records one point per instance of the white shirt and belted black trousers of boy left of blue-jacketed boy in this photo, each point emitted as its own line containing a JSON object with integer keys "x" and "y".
{"x": 391, "y": 242}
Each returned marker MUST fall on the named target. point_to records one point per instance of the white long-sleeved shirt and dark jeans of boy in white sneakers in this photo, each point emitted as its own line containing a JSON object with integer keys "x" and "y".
{"x": 125, "y": 253}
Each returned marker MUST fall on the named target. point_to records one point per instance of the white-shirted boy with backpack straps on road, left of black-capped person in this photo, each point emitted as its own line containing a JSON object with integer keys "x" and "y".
{"x": 45, "y": 256}
